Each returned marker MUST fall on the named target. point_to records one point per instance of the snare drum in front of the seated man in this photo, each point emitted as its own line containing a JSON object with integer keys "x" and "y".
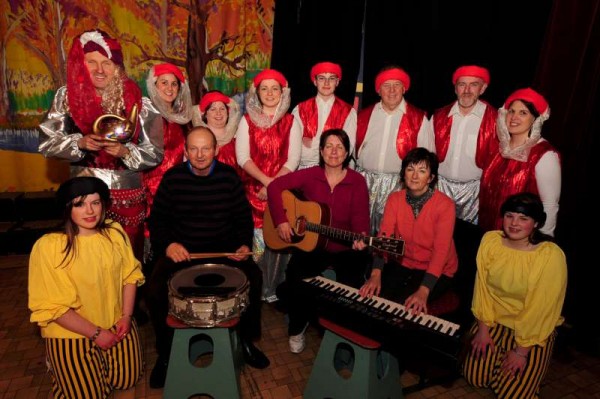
{"x": 209, "y": 294}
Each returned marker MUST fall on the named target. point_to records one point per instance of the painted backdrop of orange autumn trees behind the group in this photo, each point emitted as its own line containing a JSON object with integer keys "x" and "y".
{"x": 221, "y": 44}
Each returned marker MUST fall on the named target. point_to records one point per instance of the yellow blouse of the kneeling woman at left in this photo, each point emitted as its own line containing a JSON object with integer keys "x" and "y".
{"x": 91, "y": 283}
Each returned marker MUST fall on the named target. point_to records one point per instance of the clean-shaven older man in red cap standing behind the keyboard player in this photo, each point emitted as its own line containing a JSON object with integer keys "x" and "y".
{"x": 385, "y": 132}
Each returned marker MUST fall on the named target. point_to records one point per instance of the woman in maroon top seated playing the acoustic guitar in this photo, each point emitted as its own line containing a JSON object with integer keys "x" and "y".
{"x": 344, "y": 192}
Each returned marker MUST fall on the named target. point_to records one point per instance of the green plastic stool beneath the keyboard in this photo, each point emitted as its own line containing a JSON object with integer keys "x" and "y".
{"x": 375, "y": 373}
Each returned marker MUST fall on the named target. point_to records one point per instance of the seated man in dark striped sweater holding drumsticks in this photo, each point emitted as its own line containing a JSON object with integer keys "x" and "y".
{"x": 200, "y": 206}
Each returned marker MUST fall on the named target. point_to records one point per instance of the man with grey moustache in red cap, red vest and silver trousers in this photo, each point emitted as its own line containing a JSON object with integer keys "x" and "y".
{"x": 465, "y": 140}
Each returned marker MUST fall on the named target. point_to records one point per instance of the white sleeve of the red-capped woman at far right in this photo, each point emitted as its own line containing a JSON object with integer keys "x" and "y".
{"x": 548, "y": 177}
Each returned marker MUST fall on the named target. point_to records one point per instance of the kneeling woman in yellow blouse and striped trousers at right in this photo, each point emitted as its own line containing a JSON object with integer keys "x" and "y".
{"x": 519, "y": 293}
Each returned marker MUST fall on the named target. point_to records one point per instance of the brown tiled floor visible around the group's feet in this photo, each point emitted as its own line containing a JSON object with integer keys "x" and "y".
{"x": 23, "y": 373}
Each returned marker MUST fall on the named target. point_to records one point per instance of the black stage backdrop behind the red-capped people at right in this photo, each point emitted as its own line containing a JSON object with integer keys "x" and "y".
{"x": 553, "y": 46}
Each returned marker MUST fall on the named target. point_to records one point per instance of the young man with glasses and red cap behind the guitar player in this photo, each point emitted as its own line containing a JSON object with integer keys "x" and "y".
{"x": 323, "y": 112}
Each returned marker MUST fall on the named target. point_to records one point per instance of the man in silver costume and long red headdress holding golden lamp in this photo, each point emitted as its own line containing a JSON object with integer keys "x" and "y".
{"x": 97, "y": 85}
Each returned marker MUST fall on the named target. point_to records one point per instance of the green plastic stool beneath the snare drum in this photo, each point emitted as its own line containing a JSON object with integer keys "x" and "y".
{"x": 219, "y": 379}
